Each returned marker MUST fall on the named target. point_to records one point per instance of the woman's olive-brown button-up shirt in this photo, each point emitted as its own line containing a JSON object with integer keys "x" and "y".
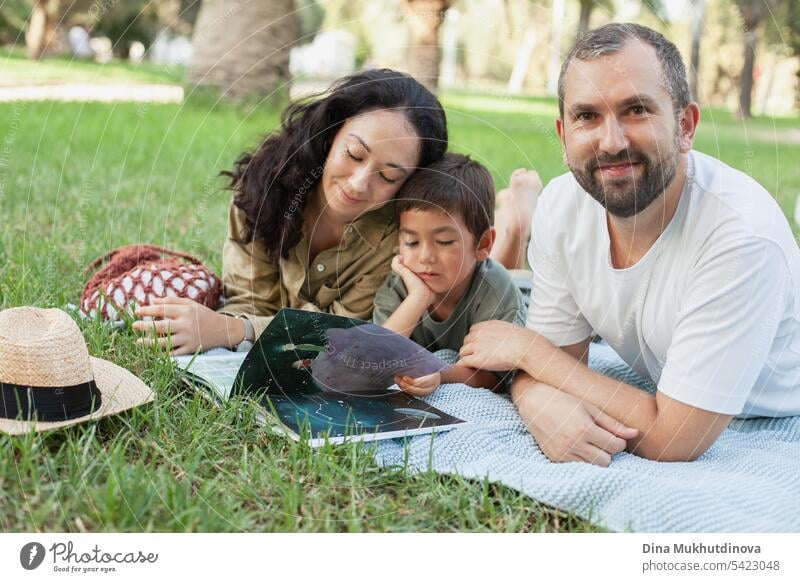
{"x": 340, "y": 280}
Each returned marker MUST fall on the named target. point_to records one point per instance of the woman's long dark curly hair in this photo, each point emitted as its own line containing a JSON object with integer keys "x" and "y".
{"x": 273, "y": 184}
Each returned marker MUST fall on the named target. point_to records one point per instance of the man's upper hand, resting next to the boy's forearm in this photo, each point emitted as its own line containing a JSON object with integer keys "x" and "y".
{"x": 499, "y": 346}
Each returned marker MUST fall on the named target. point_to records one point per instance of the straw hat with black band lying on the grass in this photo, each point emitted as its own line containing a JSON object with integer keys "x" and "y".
{"x": 46, "y": 374}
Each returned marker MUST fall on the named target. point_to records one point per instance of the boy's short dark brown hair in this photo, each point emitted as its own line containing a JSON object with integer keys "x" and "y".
{"x": 455, "y": 184}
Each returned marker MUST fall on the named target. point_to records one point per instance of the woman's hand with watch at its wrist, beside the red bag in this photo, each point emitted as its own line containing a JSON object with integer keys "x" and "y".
{"x": 187, "y": 326}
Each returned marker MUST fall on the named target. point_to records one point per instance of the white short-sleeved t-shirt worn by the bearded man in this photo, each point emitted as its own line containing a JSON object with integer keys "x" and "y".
{"x": 711, "y": 313}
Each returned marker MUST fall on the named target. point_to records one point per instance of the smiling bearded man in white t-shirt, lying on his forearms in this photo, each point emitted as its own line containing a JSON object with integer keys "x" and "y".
{"x": 685, "y": 266}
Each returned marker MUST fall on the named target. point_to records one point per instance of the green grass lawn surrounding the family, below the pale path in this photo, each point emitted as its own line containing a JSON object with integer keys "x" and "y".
{"x": 79, "y": 179}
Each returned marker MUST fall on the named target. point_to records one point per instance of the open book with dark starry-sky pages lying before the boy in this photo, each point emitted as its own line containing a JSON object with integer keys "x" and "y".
{"x": 327, "y": 377}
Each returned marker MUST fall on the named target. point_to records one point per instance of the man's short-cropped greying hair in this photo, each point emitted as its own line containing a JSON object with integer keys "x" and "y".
{"x": 612, "y": 38}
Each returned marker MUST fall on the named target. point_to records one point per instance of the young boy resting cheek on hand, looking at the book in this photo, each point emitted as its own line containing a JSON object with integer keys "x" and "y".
{"x": 443, "y": 280}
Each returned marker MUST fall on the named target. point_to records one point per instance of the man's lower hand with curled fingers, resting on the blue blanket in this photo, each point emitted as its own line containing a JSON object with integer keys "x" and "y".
{"x": 567, "y": 429}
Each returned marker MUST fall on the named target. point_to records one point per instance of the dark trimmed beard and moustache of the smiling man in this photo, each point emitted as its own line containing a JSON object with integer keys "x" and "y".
{"x": 628, "y": 196}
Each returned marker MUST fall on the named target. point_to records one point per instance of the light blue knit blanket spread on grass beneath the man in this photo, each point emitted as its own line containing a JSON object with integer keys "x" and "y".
{"x": 748, "y": 481}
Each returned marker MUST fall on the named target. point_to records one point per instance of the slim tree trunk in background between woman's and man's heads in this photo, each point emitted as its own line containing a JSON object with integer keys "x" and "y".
{"x": 423, "y": 19}
